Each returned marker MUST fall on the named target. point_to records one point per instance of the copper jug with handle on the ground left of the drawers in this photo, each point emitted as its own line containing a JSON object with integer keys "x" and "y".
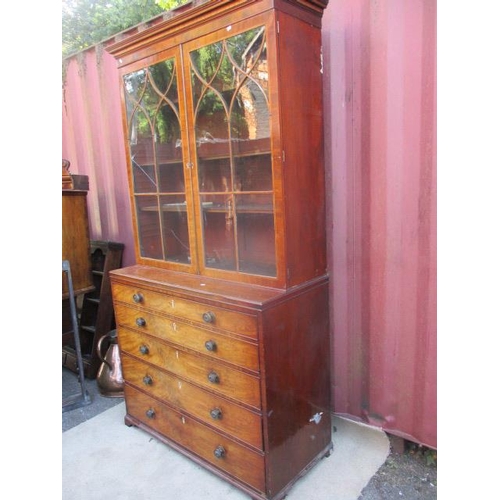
{"x": 109, "y": 377}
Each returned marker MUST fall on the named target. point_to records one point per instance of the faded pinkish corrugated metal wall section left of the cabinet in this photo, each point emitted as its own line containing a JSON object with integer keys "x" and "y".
{"x": 93, "y": 143}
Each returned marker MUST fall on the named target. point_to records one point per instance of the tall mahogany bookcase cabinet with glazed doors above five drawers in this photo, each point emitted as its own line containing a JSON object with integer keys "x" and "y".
{"x": 223, "y": 322}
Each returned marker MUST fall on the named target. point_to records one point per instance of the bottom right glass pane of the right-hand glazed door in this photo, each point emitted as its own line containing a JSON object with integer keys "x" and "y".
{"x": 255, "y": 229}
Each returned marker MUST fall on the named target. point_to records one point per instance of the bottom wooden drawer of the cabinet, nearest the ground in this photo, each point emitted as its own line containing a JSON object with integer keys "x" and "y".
{"x": 234, "y": 459}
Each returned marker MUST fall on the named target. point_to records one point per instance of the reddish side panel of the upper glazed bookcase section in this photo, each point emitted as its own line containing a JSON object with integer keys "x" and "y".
{"x": 301, "y": 106}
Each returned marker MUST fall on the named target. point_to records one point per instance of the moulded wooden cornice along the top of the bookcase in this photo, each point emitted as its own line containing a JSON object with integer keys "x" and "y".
{"x": 189, "y": 16}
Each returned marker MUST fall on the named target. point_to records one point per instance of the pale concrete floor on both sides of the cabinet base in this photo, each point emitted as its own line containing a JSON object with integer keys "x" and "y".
{"x": 104, "y": 459}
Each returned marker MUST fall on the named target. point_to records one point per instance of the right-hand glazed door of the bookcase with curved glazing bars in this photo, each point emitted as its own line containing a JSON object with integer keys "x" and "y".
{"x": 229, "y": 104}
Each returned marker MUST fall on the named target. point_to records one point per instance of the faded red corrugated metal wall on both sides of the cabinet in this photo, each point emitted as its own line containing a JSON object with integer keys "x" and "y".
{"x": 380, "y": 123}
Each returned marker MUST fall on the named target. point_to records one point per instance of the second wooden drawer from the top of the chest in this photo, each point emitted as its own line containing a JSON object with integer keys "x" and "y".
{"x": 204, "y": 341}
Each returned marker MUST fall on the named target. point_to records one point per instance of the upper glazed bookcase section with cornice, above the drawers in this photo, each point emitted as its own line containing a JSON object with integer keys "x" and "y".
{"x": 225, "y": 181}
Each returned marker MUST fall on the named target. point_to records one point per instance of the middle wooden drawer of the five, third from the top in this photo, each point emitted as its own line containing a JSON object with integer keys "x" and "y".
{"x": 199, "y": 369}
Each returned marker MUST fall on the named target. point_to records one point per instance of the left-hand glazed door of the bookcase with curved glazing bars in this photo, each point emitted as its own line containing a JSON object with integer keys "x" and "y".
{"x": 159, "y": 175}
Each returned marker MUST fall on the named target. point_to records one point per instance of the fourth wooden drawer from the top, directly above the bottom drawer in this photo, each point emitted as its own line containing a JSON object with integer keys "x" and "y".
{"x": 206, "y": 406}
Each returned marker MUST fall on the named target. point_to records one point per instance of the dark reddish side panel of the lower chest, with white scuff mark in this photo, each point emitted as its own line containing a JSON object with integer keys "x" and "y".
{"x": 297, "y": 393}
